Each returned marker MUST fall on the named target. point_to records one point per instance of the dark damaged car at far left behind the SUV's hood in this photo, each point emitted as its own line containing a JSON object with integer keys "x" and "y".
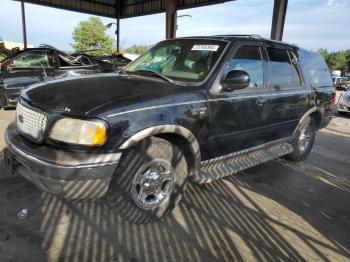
{"x": 34, "y": 65}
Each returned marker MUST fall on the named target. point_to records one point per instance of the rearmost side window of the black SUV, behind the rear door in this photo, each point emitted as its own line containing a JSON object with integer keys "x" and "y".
{"x": 316, "y": 69}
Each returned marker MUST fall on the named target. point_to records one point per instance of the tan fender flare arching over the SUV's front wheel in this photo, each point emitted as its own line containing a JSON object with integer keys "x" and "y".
{"x": 174, "y": 129}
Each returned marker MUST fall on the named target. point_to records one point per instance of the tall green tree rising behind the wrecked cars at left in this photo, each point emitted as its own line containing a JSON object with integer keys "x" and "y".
{"x": 91, "y": 34}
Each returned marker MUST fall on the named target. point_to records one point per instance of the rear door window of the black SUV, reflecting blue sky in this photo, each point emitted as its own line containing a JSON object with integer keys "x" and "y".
{"x": 281, "y": 69}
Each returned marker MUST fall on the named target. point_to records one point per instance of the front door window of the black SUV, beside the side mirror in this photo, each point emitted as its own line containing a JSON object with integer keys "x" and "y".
{"x": 248, "y": 58}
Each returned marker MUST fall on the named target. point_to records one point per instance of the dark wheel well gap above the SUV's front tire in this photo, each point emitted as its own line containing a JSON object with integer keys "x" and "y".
{"x": 182, "y": 144}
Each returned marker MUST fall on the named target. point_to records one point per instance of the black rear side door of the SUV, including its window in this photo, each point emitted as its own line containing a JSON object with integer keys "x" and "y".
{"x": 288, "y": 93}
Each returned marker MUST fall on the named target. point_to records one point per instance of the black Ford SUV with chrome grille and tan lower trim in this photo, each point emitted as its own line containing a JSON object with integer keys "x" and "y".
{"x": 197, "y": 108}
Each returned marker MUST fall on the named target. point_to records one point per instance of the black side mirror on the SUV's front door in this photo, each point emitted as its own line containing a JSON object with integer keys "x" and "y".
{"x": 236, "y": 79}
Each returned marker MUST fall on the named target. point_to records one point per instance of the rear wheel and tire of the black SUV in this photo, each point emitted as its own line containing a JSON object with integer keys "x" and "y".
{"x": 307, "y": 130}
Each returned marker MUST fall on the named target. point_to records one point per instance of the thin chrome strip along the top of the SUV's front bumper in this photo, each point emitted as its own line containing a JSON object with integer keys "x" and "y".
{"x": 25, "y": 156}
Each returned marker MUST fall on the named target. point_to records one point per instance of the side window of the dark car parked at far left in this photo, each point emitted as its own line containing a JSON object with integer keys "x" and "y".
{"x": 31, "y": 59}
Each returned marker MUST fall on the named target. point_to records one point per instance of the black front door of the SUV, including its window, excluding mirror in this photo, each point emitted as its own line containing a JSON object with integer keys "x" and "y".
{"x": 239, "y": 119}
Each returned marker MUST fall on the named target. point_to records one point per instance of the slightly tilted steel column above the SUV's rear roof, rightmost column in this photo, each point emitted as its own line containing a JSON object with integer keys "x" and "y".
{"x": 279, "y": 15}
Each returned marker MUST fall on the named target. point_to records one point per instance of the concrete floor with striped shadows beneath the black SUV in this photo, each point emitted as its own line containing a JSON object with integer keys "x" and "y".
{"x": 276, "y": 211}
